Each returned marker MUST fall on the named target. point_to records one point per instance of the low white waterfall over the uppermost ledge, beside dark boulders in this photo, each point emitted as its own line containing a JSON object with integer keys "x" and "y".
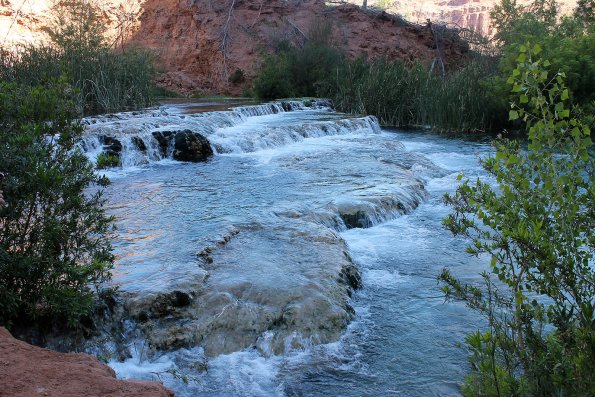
{"x": 138, "y": 138}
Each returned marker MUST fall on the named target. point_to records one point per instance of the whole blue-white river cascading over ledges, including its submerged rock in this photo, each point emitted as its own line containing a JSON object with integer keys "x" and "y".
{"x": 239, "y": 273}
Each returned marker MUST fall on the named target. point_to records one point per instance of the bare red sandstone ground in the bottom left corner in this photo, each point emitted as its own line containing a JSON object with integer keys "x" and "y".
{"x": 27, "y": 371}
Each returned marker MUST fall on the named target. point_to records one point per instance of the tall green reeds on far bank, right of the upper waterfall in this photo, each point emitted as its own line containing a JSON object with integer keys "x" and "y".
{"x": 415, "y": 96}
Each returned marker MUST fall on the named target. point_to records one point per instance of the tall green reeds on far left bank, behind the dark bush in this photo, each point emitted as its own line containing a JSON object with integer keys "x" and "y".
{"x": 103, "y": 79}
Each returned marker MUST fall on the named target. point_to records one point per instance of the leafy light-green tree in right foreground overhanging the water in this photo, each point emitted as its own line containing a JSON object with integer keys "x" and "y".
{"x": 538, "y": 227}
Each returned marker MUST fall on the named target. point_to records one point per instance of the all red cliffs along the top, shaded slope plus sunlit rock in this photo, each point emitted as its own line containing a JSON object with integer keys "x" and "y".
{"x": 201, "y": 43}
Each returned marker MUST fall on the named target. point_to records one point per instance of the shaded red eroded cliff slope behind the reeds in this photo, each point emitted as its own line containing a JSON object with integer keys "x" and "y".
{"x": 201, "y": 43}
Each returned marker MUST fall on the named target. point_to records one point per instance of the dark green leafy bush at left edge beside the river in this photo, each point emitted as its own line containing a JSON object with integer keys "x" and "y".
{"x": 54, "y": 234}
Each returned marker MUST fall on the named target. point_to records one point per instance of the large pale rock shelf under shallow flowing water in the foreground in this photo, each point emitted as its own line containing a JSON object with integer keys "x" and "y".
{"x": 272, "y": 298}
